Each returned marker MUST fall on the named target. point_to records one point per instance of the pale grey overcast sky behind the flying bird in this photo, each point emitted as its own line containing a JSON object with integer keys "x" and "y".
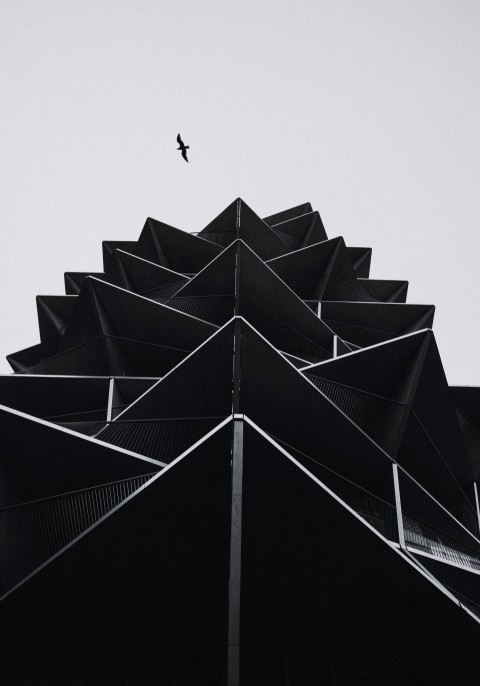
{"x": 369, "y": 109}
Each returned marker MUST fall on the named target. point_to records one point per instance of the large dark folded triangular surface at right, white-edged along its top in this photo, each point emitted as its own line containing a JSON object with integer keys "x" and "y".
{"x": 398, "y": 394}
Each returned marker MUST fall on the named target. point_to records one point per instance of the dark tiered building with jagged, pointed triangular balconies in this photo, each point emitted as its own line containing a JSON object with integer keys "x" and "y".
{"x": 234, "y": 460}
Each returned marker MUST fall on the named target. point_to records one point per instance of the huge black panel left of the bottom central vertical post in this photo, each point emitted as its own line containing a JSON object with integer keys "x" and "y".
{"x": 169, "y": 617}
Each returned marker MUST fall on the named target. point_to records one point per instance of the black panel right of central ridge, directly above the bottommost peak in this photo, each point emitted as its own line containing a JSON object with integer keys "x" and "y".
{"x": 304, "y": 418}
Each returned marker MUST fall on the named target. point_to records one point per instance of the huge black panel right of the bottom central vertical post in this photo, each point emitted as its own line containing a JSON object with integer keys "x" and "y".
{"x": 317, "y": 606}
